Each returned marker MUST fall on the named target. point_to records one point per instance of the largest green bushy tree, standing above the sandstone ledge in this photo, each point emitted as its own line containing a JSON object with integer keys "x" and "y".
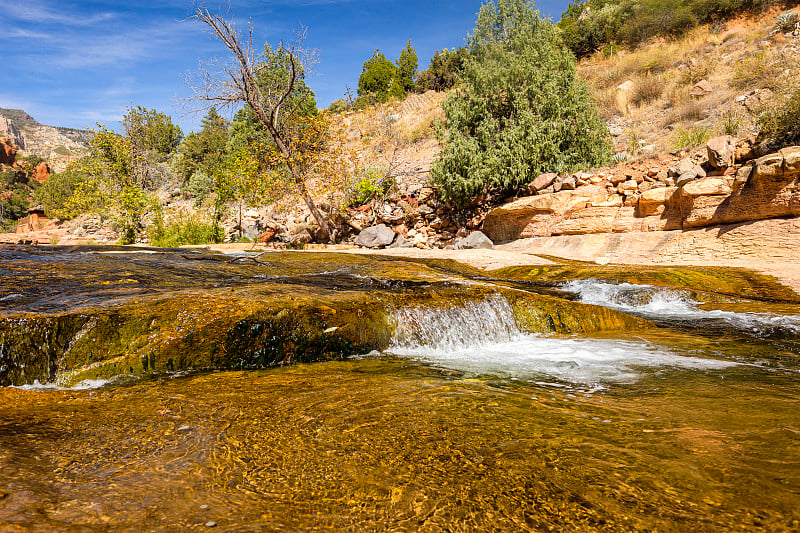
{"x": 521, "y": 110}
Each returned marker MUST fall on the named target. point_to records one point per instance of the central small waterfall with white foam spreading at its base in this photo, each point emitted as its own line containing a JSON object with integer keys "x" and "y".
{"x": 482, "y": 338}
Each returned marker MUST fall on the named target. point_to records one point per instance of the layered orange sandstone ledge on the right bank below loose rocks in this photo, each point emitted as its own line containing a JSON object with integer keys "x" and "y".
{"x": 766, "y": 188}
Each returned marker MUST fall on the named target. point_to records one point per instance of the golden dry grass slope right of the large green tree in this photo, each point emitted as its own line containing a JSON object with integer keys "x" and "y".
{"x": 664, "y": 72}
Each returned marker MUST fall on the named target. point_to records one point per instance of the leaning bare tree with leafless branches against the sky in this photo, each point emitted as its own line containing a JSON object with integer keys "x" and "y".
{"x": 268, "y": 96}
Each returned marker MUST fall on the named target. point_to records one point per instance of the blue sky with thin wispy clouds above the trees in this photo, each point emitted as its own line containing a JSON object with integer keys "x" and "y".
{"x": 74, "y": 64}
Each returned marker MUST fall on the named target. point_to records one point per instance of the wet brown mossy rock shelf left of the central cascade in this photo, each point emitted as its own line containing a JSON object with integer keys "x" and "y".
{"x": 76, "y": 313}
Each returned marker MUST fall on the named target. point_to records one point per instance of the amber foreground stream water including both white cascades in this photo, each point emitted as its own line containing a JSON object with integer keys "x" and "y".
{"x": 465, "y": 422}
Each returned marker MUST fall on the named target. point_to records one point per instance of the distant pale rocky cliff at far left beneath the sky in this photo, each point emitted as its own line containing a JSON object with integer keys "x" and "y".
{"x": 58, "y": 146}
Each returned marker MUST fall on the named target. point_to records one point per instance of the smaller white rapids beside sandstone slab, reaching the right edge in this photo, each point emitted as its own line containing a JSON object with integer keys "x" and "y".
{"x": 672, "y": 304}
